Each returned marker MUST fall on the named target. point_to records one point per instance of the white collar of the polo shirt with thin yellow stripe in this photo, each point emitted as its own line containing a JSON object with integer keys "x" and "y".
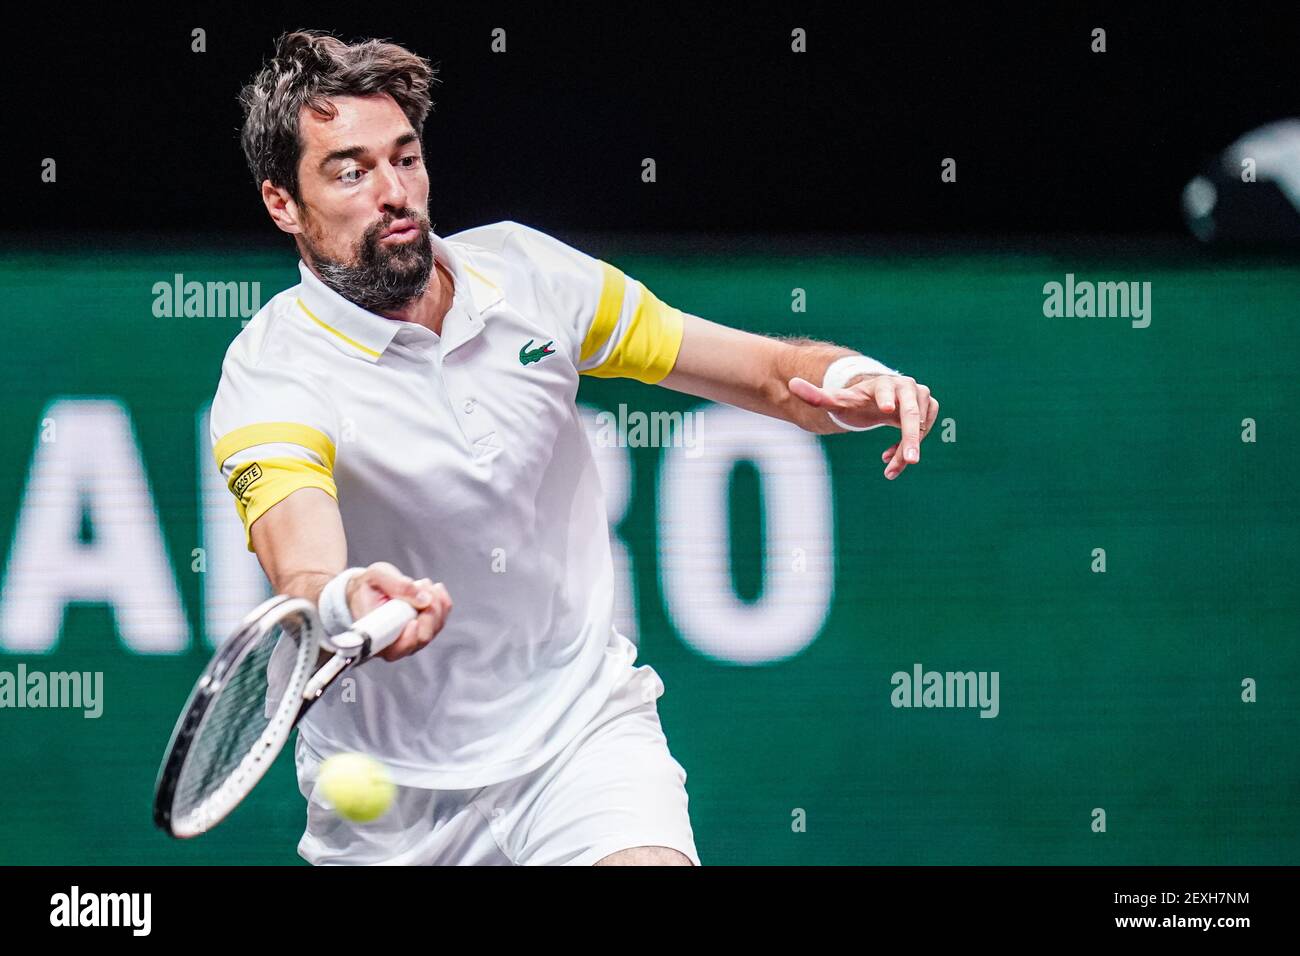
{"x": 363, "y": 335}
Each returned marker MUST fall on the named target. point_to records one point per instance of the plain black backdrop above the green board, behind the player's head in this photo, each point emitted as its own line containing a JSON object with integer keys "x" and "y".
{"x": 748, "y": 137}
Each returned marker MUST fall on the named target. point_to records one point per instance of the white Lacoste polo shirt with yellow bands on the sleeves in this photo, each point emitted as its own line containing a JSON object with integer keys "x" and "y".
{"x": 461, "y": 458}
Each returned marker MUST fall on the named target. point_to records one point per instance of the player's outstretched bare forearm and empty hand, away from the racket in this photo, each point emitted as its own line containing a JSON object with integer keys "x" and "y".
{"x": 785, "y": 378}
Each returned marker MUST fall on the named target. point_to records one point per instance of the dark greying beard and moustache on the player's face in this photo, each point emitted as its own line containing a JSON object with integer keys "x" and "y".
{"x": 380, "y": 279}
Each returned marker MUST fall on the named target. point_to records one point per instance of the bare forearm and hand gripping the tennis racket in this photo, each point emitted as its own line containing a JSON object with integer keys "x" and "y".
{"x": 301, "y": 546}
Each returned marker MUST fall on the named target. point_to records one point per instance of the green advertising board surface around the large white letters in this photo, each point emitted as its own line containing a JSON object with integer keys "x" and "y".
{"x": 1119, "y": 691}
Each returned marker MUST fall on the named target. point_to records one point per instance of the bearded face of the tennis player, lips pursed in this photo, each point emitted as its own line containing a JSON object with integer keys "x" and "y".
{"x": 361, "y": 175}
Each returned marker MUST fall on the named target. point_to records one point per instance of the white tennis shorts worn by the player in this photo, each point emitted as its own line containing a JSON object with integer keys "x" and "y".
{"x": 614, "y": 786}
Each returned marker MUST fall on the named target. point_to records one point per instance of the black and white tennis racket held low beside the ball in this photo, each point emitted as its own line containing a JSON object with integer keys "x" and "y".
{"x": 248, "y": 702}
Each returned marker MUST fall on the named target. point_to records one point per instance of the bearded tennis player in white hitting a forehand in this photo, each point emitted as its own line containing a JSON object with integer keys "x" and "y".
{"x": 408, "y": 413}
